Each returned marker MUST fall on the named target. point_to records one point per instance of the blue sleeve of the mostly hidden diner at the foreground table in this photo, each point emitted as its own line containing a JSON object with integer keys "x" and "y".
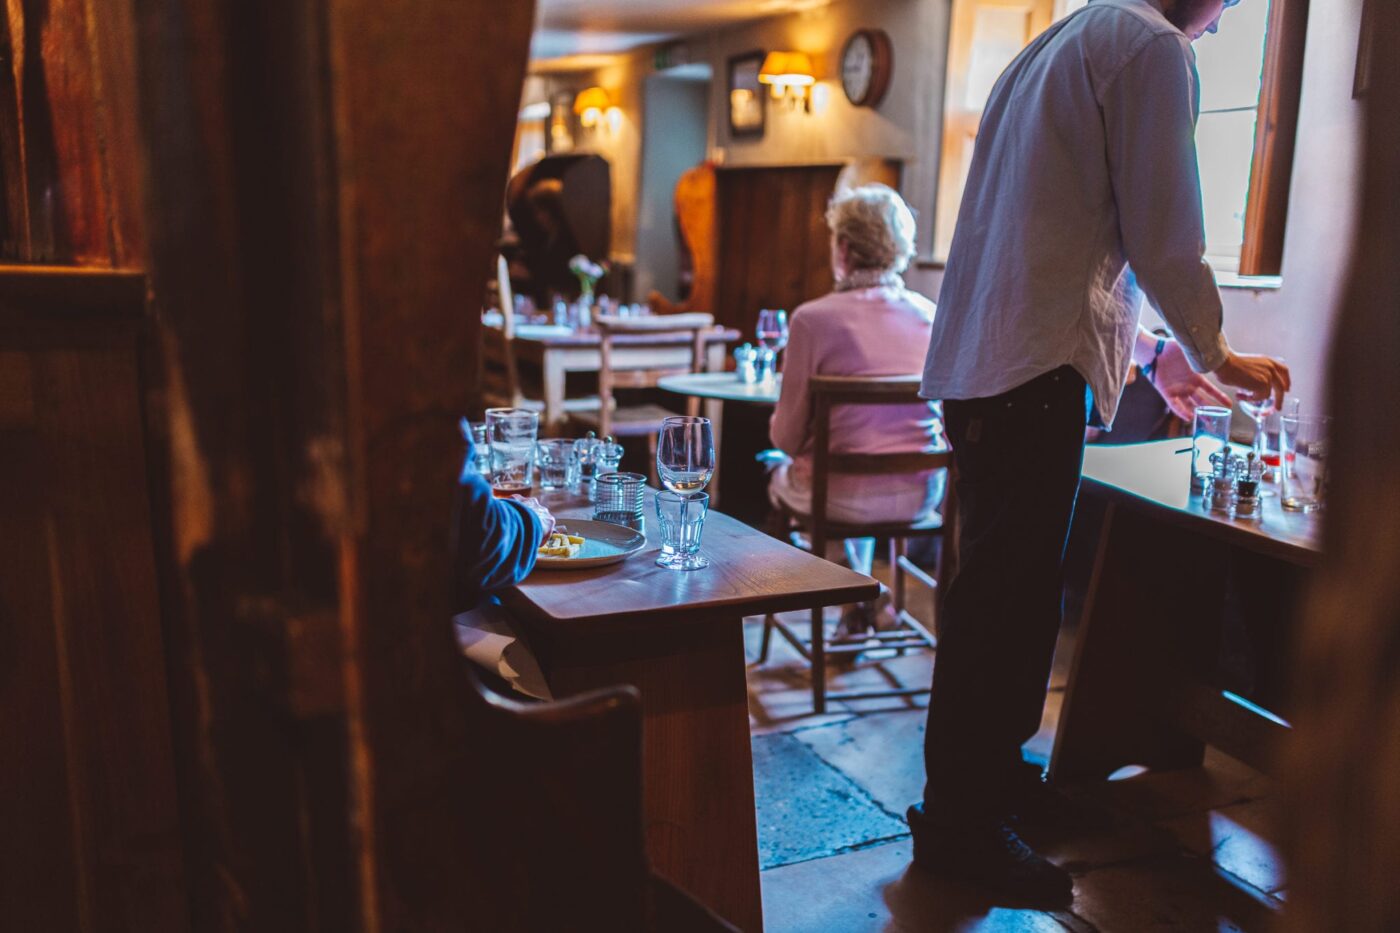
{"x": 493, "y": 540}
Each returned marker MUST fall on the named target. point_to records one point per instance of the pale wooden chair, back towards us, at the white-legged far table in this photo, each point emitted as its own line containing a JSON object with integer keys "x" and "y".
{"x": 642, "y": 421}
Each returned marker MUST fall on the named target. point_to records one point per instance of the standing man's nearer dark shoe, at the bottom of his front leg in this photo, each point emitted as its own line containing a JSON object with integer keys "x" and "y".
{"x": 990, "y": 857}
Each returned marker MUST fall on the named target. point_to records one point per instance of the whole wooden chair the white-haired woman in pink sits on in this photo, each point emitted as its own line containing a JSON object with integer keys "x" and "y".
{"x": 829, "y": 392}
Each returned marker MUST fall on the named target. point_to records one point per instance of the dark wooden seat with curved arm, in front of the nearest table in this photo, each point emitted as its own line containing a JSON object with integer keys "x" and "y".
{"x": 570, "y": 854}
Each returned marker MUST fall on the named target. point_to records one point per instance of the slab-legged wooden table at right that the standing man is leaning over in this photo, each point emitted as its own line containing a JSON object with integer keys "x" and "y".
{"x": 1139, "y": 687}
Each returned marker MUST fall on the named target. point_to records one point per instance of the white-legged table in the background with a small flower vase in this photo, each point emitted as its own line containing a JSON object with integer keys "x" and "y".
{"x": 559, "y": 351}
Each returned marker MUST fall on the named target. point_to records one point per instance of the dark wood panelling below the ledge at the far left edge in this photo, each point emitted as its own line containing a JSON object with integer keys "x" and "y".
{"x": 97, "y": 843}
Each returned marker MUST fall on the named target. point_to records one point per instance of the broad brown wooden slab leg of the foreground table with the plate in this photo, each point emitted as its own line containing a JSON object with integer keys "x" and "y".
{"x": 698, "y": 767}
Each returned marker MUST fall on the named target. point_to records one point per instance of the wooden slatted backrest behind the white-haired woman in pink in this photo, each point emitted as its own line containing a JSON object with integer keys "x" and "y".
{"x": 829, "y": 392}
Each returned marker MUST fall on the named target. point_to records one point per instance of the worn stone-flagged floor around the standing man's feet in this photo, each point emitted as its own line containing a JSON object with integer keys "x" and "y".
{"x": 1185, "y": 851}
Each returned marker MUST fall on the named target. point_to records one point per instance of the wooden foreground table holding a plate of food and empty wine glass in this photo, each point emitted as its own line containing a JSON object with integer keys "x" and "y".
{"x": 678, "y": 638}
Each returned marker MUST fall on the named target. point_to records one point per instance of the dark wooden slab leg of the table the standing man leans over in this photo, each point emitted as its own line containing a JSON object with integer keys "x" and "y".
{"x": 1150, "y": 627}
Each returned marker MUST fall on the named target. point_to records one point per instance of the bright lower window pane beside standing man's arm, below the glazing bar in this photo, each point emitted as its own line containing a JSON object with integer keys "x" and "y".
{"x": 1227, "y": 151}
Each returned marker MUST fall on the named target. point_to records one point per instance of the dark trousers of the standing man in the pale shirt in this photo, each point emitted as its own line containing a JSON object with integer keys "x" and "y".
{"x": 1017, "y": 463}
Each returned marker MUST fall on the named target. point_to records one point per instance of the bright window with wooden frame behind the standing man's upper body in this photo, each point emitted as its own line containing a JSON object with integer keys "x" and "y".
{"x": 1251, "y": 83}
